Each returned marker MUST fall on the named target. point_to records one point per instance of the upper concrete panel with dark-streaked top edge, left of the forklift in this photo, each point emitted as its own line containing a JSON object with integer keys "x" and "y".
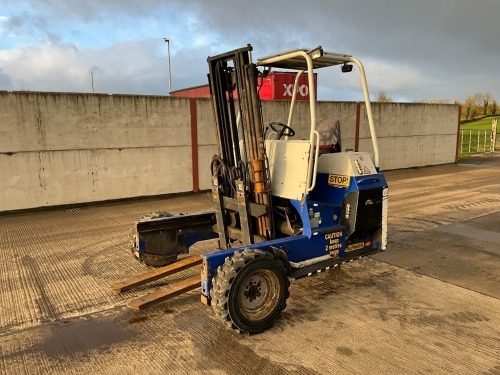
{"x": 56, "y": 121}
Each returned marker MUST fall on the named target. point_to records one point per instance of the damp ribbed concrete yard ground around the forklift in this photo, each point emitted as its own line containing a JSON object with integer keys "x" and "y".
{"x": 430, "y": 304}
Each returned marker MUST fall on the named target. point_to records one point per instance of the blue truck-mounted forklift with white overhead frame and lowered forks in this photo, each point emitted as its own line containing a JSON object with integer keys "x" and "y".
{"x": 283, "y": 208}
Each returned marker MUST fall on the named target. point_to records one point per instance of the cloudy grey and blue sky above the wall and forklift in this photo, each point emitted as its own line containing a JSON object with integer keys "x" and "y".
{"x": 412, "y": 50}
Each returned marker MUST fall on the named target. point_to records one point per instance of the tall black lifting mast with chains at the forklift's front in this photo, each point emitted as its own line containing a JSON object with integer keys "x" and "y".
{"x": 241, "y": 184}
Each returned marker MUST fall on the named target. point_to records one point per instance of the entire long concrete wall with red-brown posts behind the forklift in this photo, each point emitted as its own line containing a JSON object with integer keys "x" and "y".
{"x": 60, "y": 148}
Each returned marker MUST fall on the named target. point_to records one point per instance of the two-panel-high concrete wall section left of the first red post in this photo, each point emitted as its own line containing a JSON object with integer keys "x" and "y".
{"x": 71, "y": 148}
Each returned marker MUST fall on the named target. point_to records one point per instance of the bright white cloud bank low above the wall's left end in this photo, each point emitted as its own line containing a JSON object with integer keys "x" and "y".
{"x": 122, "y": 68}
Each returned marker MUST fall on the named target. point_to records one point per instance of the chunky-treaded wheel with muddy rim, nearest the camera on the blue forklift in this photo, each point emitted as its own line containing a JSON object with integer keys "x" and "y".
{"x": 250, "y": 290}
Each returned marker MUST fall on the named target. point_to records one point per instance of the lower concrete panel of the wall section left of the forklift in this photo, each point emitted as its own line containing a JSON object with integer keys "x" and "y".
{"x": 37, "y": 179}
